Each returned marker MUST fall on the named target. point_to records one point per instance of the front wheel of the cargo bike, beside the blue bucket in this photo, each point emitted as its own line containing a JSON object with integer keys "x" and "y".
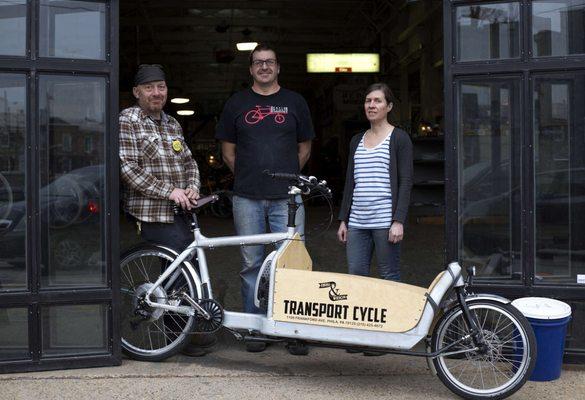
{"x": 497, "y": 370}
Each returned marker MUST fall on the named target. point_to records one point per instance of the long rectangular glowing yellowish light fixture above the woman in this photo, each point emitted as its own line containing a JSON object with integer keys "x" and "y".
{"x": 346, "y": 62}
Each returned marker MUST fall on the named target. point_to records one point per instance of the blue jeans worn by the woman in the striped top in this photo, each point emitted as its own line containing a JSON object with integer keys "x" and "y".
{"x": 360, "y": 246}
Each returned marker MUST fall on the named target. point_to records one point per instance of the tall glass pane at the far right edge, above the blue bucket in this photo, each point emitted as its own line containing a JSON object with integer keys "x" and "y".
{"x": 559, "y": 178}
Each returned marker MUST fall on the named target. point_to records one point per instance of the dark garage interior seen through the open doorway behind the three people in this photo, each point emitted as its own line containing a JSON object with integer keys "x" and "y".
{"x": 195, "y": 41}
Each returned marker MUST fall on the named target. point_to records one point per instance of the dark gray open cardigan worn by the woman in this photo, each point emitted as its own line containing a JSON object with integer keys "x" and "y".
{"x": 400, "y": 175}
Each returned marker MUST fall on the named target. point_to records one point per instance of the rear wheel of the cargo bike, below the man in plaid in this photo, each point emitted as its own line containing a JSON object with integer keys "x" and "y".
{"x": 151, "y": 333}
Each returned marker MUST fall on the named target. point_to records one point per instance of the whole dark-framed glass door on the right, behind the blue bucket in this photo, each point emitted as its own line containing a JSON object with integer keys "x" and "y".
{"x": 514, "y": 145}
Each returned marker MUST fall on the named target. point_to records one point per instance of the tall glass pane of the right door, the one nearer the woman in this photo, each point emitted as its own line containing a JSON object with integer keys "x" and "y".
{"x": 488, "y": 132}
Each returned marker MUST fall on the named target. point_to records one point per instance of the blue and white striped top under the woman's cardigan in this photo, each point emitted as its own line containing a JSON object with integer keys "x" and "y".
{"x": 371, "y": 206}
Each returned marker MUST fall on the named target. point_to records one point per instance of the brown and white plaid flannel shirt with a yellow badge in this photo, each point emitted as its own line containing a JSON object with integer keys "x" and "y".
{"x": 149, "y": 166}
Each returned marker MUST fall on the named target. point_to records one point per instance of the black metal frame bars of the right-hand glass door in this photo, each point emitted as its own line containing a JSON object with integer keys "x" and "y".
{"x": 526, "y": 66}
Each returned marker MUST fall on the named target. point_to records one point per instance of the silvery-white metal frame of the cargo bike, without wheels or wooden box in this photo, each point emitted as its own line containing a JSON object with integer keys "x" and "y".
{"x": 266, "y": 325}
